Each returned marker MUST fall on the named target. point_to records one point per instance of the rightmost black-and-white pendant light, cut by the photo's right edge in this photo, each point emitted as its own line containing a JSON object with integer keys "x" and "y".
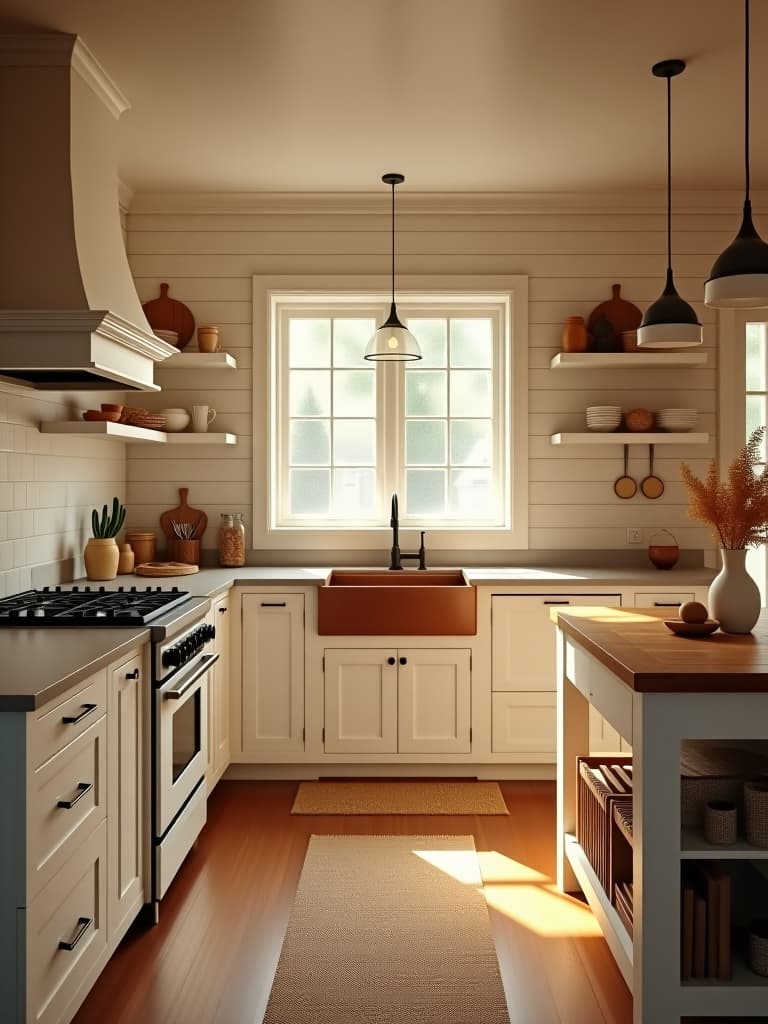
{"x": 740, "y": 277}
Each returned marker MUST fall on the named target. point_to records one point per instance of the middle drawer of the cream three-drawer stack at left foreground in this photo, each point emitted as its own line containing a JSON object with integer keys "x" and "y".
{"x": 76, "y": 776}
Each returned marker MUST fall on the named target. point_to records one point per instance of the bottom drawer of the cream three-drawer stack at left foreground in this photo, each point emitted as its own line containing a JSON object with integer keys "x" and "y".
{"x": 72, "y": 909}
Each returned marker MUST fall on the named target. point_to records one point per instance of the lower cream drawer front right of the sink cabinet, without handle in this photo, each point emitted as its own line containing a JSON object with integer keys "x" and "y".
{"x": 525, "y": 723}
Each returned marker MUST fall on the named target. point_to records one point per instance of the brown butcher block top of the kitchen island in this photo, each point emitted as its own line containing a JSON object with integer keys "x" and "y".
{"x": 639, "y": 650}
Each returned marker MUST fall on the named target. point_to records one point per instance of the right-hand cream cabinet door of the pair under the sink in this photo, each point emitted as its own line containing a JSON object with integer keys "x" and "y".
{"x": 434, "y": 702}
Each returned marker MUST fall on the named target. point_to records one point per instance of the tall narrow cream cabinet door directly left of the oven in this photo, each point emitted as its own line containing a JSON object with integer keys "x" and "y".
{"x": 129, "y": 688}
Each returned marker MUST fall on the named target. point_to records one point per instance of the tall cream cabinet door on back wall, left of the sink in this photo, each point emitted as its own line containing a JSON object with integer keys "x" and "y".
{"x": 273, "y": 712}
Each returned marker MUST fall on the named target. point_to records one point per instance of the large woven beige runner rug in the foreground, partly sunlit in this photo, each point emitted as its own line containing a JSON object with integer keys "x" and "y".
{"x": 392, "y": 930}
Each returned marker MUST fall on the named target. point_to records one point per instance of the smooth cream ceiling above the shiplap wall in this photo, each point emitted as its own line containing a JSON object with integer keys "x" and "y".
{"x": 498, "y": 96}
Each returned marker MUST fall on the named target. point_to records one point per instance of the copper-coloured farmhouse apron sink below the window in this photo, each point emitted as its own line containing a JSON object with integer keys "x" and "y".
{"x": 381, "y": 603}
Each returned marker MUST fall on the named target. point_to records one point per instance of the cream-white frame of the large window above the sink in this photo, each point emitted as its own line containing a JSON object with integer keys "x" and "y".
{"x": 270, "y": 291}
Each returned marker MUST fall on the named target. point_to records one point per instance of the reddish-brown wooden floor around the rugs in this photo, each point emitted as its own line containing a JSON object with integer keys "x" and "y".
{"x": 212, "y": 958}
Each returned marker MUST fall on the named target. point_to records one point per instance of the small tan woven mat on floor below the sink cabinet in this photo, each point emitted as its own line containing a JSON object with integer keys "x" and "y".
{"x": 400, "y": 798}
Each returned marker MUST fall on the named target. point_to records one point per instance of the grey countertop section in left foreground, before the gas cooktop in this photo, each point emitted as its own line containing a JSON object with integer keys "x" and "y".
{"x": 38, "y": 665}
